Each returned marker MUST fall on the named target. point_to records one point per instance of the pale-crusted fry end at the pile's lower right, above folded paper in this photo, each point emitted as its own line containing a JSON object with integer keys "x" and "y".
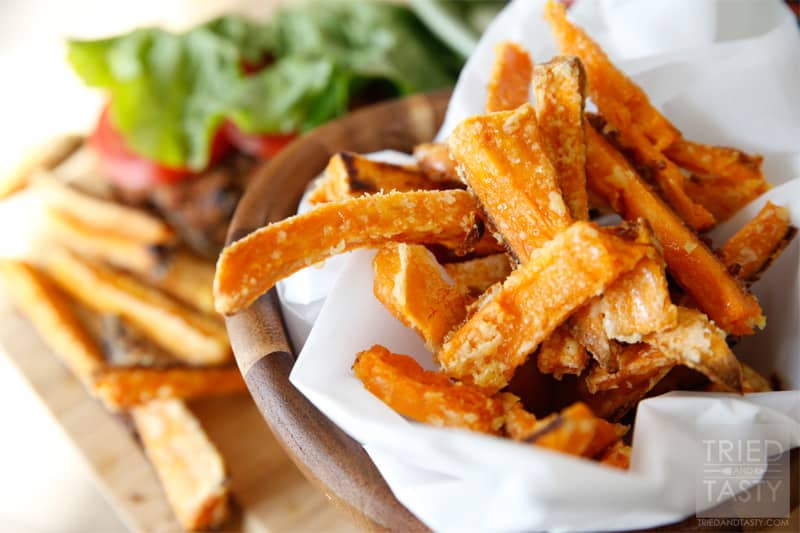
{"x": 700, "y": 345}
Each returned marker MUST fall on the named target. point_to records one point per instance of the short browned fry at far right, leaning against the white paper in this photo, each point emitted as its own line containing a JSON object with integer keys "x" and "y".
{"x": 758, "y": 243}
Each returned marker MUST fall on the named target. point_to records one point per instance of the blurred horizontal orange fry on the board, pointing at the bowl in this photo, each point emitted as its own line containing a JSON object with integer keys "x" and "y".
{"x": 125, "y": 387}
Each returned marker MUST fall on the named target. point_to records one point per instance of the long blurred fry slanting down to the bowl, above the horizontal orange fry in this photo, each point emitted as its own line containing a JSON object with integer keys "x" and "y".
{"x": 189, "y": 335}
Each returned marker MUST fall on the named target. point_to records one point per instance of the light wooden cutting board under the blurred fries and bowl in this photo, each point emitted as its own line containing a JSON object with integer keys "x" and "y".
{"x": 271, "y": 494}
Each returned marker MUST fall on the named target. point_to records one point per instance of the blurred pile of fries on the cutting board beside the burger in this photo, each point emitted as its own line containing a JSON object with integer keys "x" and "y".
{"x": 130, "y": 311}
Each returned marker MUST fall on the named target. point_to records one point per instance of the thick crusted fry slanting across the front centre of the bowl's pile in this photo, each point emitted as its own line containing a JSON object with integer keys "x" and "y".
{"x": 561, "y": 276}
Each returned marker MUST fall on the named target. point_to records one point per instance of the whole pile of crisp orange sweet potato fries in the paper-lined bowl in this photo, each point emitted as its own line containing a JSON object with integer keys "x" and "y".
{"x": 547, "y": 328}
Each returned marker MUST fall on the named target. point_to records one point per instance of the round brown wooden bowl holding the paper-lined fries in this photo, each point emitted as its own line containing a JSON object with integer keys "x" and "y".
{"x": 330, "y": 459}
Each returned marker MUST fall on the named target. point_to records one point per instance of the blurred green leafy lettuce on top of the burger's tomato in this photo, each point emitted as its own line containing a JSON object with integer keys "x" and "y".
{"x": 170, "y": 92}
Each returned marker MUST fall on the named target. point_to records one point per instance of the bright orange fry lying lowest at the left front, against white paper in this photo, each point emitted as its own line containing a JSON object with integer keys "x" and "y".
{"x": 427, "y": 396}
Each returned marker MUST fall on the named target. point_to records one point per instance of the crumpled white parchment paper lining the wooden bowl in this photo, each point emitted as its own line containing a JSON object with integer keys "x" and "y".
{"x": 726, "y": 72}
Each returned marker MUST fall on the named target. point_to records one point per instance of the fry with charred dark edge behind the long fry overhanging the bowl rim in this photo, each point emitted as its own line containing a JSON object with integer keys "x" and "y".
{"x": 349, "y": 175}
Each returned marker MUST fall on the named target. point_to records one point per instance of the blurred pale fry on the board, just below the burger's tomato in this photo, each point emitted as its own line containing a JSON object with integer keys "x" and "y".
{"x": 103, "y": 216}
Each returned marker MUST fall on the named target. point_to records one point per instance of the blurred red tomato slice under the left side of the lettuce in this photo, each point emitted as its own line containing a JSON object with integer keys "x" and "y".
{"x": 129, "y": 170}
